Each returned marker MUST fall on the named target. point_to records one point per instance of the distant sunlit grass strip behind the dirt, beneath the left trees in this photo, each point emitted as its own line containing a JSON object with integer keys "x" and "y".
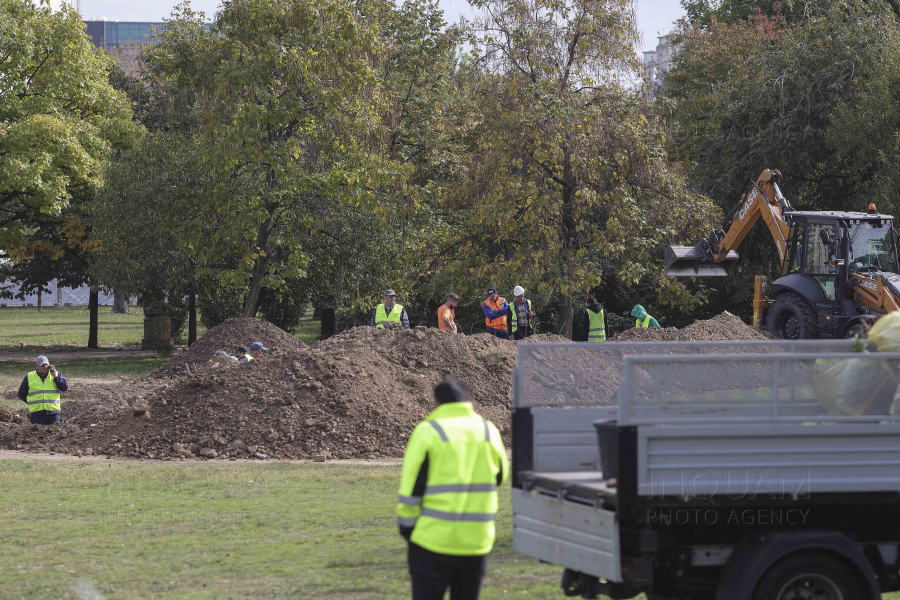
{"x": 68, "y": 325}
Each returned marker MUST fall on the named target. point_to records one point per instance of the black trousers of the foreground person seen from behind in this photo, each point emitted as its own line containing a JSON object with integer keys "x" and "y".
{"x": 433, "y": 573}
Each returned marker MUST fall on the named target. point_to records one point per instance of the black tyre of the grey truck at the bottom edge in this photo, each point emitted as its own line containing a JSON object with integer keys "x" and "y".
{"x": 808, "y": 576}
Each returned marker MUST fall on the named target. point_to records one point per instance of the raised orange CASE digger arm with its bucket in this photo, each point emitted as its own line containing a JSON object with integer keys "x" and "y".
{"x": 763, "y": 199}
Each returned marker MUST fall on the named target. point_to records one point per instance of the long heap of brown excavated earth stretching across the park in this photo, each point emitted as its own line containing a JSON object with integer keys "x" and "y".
{"x": 358, "y": 394}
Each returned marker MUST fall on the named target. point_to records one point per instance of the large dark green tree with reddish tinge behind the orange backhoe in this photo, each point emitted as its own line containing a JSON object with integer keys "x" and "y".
{"x": 764, "y": 93}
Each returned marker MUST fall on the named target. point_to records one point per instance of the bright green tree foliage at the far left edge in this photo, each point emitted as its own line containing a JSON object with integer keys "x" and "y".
{"x": 59, "y": 117}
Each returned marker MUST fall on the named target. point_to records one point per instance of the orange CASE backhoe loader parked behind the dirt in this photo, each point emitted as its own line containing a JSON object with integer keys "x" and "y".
{"x": 839, "y": 269}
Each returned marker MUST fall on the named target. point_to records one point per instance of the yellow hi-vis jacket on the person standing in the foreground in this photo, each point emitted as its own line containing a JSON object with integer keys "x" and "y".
{"x": 454, "y": 462}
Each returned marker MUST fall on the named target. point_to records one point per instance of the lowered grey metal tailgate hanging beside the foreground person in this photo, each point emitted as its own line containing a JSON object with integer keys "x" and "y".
{"x": 569, "y": 534}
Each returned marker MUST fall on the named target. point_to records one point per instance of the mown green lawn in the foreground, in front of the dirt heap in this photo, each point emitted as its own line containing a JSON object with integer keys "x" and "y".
{"x": 196, "y": 530}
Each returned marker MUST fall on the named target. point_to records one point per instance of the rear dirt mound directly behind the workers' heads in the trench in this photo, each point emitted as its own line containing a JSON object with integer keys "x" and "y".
{"x": 228, "y": 336}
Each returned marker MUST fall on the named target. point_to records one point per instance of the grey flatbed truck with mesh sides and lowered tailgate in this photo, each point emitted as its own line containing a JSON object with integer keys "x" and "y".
{"x": 727, "y": 471}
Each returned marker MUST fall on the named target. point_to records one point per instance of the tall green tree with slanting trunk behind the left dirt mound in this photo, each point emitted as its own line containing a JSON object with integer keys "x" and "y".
{"x": 290, "y": 101}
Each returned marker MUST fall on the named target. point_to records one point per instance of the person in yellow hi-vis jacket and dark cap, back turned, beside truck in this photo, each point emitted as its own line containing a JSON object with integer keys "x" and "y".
{"x": 454, "y": 462}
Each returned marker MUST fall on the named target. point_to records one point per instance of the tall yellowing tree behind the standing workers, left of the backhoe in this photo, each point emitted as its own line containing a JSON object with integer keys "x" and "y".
{"x": 568, "y": 169}
